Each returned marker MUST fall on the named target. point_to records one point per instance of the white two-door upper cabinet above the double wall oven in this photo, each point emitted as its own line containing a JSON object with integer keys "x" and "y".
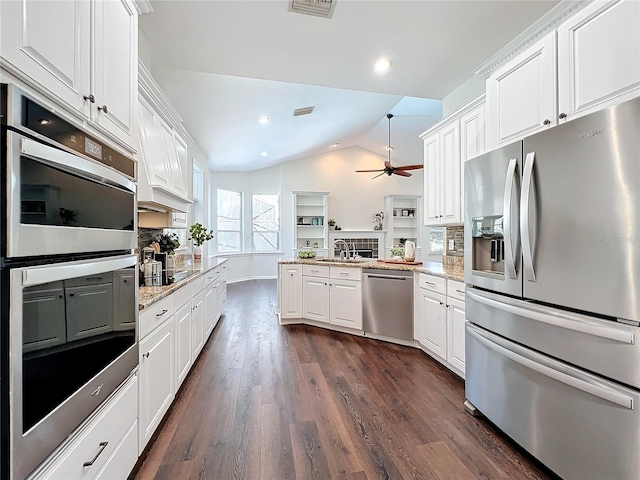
{"x": 80, "y": 53}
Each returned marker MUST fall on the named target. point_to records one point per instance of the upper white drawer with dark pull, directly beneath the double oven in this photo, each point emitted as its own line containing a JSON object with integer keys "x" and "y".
{"x": 99, "y": 439}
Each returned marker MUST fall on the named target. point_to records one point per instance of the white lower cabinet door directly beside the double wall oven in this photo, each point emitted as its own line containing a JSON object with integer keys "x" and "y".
{"x": 157, "y": 379}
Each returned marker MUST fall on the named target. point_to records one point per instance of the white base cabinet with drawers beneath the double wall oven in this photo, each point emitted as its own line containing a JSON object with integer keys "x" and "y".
{"x": 106, "y": 447}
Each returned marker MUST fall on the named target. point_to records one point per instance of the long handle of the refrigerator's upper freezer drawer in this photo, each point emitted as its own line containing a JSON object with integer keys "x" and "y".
{"x": 558, "y": 320}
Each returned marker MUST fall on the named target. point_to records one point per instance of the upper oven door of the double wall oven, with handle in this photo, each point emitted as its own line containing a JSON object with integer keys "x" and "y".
{"x": 61, "y": 203}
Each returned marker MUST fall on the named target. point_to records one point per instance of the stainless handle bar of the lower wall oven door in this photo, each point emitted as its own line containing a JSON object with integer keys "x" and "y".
{"x": 64, "y": 271}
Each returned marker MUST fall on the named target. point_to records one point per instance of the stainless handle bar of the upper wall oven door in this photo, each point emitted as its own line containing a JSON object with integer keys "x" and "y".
{"x": 74, "y": 164}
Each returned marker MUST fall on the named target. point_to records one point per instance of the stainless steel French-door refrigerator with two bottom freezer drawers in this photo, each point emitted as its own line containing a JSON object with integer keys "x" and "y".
{"x": 552, "y": 253}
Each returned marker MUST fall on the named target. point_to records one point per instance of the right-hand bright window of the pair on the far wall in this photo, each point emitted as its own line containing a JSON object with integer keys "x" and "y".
{"x": 265, "y": 222}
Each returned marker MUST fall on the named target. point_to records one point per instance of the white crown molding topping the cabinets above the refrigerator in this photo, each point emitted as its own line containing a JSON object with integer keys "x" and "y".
{"x": 548, "y": 22}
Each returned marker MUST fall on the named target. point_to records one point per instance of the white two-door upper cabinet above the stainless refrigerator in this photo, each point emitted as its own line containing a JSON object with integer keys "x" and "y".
{"x": 588, "y": 60}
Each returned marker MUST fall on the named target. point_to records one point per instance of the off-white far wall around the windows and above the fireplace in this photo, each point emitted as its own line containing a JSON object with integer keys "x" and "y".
{"x": 353, "y": 198}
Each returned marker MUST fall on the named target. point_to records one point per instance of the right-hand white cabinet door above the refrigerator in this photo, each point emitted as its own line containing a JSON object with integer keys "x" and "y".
{"x": 598, "y": 57}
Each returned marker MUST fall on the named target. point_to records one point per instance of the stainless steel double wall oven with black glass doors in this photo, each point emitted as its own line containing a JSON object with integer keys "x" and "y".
{"x": 68, "y": 279}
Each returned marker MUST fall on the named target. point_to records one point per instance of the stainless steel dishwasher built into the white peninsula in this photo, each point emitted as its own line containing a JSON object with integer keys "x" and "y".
{"x": 387, "y": 302}
